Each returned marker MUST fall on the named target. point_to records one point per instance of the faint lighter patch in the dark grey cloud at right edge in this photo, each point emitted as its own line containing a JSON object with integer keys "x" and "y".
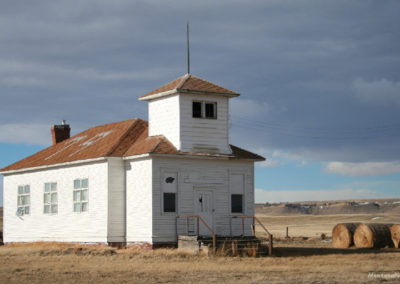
{"x": 380, "y": 91}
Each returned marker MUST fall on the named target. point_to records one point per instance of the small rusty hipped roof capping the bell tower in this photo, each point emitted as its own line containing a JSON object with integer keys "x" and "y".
{"x": 190, "y": 84}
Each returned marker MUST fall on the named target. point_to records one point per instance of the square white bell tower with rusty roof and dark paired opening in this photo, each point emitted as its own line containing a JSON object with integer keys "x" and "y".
{"x": 192, "y": 113}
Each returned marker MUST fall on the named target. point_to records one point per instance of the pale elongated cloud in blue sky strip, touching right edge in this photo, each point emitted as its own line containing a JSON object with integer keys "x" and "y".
{"x": 363, "y": 169}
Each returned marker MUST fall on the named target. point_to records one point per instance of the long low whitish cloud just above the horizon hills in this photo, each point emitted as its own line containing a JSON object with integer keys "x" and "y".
{"x": 262, "y": 196}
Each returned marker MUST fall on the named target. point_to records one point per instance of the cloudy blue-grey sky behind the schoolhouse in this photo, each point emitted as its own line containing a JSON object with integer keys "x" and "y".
{"x": 319, "y": 81}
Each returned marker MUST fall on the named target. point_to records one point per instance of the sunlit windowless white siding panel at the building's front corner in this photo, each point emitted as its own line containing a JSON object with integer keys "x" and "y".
{"x": 139, "y": 201}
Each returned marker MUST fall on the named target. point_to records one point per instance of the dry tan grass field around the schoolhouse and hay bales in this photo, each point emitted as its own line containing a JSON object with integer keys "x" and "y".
{"x": 300, "y": 260}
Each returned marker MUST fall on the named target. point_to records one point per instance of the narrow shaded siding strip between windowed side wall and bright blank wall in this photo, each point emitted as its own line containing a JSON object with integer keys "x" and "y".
{"x": 116, "y": 200}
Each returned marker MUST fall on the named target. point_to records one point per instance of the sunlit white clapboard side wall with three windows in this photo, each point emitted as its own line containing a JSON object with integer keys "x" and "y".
{"x": 66, "y": 225}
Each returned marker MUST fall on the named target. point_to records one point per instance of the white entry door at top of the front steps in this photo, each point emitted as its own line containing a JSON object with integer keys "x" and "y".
{"x": 204, "y": 208}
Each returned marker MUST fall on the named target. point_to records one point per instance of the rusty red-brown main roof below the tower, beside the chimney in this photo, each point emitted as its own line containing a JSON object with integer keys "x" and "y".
{"x": 119, "y": 139}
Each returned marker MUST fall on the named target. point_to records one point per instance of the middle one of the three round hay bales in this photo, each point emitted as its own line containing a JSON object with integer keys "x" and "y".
{"x": 373, "y": 236}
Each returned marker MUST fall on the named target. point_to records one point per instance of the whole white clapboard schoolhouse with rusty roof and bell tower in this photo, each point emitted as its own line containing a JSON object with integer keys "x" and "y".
{"x": 127, "y": 182}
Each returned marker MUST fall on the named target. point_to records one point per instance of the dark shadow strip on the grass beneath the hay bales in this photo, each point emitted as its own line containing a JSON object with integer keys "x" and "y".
{"x": 301, "y": 251}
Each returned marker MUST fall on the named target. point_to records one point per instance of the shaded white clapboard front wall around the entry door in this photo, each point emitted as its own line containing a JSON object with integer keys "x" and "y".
{"x": 208, "y": 174}
